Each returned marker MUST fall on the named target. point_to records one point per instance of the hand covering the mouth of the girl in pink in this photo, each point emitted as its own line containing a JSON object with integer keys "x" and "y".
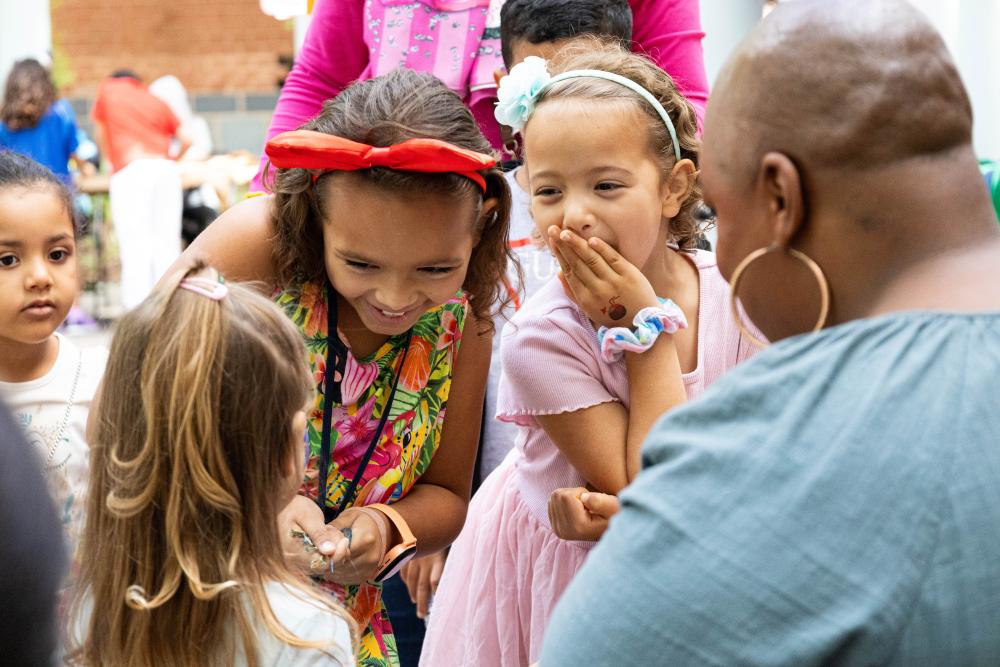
{"x": 608, "y": 288}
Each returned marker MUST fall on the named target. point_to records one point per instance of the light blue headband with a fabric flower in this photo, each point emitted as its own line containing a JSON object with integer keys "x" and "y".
{"x": 520, "y": 89}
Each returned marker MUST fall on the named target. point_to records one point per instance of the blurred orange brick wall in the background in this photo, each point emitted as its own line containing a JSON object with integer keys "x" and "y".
{"x": 210, "y": 45}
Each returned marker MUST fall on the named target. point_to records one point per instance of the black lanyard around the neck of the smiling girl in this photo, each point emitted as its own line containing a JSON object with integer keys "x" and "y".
{"x": 336, "y": 360}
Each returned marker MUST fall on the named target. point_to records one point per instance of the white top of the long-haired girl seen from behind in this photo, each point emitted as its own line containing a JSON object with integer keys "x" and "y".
{"x": 303, "y": 617}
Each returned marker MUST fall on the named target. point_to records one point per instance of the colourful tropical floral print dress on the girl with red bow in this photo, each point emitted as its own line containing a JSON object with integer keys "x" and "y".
{"x": 410, "y": 437}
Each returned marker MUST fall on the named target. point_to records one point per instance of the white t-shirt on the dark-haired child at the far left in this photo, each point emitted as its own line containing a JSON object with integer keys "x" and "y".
{"x": 53, "y": 411}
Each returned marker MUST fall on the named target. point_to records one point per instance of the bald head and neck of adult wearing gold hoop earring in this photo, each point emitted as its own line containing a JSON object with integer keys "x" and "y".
{"x": 840, "y": 130}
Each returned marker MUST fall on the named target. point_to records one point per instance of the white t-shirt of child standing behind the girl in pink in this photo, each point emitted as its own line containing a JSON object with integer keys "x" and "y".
{"x": 538, "y": 266}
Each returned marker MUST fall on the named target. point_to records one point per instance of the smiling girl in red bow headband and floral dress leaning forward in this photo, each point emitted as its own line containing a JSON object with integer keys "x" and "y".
{"x": 385, "y": 241}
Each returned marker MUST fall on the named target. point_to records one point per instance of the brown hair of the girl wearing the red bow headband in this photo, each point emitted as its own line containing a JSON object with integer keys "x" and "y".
{"x": 384, "y": 111}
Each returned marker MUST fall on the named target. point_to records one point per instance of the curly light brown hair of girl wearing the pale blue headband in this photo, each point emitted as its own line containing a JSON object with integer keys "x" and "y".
{"x": 590, "y": 52}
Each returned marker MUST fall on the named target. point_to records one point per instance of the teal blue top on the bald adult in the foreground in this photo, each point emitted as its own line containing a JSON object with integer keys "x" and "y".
{"x": 835, "y": 500}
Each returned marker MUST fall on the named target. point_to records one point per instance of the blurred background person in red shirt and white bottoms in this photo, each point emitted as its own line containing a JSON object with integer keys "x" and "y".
{"x": 134, "y": 129}
